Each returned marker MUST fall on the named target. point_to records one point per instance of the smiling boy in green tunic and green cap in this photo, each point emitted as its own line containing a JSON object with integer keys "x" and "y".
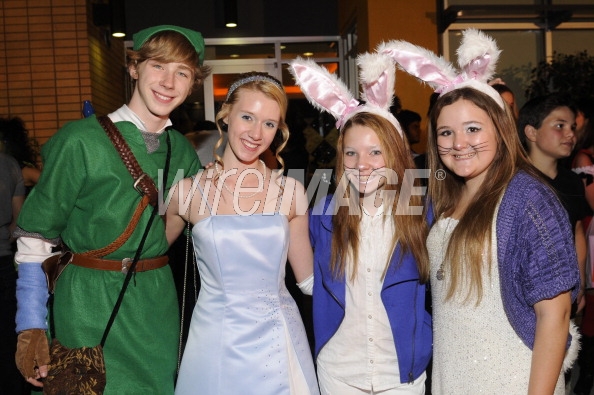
{"x": 85, "y": 198}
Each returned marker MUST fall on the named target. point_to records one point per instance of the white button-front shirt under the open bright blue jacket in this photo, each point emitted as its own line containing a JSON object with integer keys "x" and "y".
{"x": 362, "y": 352}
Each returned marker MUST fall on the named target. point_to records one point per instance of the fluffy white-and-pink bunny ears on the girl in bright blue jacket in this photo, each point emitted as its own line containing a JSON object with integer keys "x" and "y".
{"x": 328, "y": 93}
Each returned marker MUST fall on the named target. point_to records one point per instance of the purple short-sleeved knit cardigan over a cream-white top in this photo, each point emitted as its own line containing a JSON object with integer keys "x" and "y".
{"x": 535, "y": 250}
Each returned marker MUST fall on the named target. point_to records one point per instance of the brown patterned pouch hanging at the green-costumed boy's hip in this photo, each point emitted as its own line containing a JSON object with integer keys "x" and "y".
{"x": 75, "y": 371}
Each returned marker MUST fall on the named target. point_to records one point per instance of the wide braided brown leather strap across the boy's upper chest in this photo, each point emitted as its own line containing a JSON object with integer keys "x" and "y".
{"x": 143, "y": 183}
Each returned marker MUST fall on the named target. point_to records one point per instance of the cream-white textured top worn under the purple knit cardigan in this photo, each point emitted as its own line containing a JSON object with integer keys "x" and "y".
{"x": 475, "y": 349}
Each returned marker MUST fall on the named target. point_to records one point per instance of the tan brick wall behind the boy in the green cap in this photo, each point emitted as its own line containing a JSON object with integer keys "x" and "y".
{"x": 52, "y": 58}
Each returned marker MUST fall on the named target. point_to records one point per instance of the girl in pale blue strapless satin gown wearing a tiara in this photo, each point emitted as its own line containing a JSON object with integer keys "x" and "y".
{"x": 246, "y": 334}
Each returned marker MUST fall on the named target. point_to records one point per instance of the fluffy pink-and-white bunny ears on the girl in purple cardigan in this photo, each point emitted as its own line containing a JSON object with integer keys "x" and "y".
{"x": 477, "y": 58}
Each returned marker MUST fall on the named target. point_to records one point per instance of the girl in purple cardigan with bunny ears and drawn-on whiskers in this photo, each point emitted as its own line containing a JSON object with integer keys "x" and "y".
{"x": 502, "y": 261}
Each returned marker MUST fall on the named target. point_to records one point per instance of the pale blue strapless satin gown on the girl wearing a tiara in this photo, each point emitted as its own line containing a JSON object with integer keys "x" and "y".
{"x": 246, "y": 334}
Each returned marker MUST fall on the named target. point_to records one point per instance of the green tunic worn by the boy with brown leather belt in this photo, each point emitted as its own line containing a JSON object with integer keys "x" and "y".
{"x": 85, "y": 196}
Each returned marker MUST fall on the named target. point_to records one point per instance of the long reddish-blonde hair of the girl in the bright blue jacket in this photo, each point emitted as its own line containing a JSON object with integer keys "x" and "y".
{"x": 410, "y": 231}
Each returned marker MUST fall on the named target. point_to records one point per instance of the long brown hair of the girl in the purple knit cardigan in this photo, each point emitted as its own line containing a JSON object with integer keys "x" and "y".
{"x": 464, "y": 259}
